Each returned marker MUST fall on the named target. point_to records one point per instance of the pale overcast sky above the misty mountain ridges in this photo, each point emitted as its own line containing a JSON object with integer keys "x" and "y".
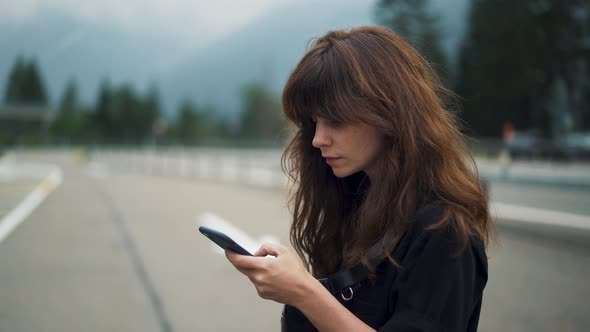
{"x": 185, "y": 17}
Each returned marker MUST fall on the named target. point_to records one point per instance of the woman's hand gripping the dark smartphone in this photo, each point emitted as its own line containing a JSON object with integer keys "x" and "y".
{"x": 276, "y": 273}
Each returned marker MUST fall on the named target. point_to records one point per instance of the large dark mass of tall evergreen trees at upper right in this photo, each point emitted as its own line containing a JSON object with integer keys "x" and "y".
{"x": 514, "y": 55}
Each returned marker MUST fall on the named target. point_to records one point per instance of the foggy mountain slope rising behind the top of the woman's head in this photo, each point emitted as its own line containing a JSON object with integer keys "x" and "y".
{"x": 268, "y": 49}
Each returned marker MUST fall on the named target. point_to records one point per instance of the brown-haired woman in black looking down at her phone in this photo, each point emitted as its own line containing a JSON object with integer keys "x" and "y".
{"x": 376, "y": 159}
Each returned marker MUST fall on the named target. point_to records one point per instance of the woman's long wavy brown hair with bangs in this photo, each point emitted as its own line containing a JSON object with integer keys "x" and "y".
{"x": 371, "y": 75}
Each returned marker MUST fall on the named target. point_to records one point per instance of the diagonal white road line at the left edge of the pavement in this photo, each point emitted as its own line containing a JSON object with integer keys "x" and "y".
{"x": 36, "y": 197}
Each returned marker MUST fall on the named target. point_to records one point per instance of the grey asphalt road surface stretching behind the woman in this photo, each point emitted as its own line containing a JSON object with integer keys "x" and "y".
{"x": 120, "y": 252}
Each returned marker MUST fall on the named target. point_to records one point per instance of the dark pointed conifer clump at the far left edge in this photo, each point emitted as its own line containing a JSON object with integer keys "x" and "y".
{"x": 25, "y": 85}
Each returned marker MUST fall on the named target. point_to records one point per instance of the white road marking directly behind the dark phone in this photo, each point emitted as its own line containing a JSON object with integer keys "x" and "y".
{"x": 213, "y": 221}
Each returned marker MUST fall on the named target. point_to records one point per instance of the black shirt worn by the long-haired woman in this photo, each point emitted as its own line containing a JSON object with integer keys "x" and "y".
{"x": 437, "y": 288}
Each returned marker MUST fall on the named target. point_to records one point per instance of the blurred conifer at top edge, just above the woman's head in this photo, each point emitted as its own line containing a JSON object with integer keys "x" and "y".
{"x": 412, "y": 20}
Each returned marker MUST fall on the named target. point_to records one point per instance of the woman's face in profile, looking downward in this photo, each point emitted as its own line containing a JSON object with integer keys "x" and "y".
{"x": 348, "y": 148}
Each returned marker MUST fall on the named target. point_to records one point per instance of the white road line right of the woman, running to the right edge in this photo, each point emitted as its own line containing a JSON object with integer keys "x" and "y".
{"x": 539, "y": 216}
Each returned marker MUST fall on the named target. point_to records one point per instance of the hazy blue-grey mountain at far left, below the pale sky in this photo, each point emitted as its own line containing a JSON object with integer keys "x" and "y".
{"x": 66, "y": 47}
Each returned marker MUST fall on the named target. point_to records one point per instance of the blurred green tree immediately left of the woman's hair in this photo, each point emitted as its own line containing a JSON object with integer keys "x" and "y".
{"x": 262, "y": 119}
